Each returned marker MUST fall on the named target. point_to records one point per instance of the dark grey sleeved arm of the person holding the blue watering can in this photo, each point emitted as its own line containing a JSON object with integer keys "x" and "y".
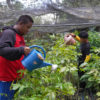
{"x": 7, "y": 49}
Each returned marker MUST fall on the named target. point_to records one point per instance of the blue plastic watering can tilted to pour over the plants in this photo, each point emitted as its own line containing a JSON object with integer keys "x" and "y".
{"x": 35, "y": 59}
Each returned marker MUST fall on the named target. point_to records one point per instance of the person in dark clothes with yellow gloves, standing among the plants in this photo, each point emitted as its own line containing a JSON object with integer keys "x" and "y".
{"x": 85, "y": 51}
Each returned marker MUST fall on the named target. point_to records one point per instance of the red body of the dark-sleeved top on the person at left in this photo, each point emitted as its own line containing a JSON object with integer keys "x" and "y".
{"x": 9, "y": 68}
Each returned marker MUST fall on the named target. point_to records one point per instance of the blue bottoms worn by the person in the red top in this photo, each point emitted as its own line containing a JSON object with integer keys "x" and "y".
{"x": 6, "y": 93}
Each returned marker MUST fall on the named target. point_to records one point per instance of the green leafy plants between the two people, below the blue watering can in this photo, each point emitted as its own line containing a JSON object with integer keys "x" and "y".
{"x": 46, "y": 84}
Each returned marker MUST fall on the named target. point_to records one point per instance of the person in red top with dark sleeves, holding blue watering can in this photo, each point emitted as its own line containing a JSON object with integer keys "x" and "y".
{"x": 12, "y": 51}
